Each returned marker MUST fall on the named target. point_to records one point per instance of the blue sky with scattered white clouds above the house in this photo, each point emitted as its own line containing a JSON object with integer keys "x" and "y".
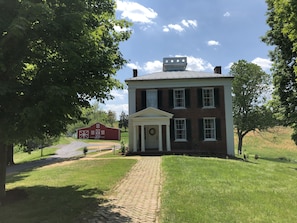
{"x": 208, "y": 32}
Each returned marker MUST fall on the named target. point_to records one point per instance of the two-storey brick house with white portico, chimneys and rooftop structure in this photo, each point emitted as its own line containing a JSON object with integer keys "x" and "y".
{"x": 177, "y": 111}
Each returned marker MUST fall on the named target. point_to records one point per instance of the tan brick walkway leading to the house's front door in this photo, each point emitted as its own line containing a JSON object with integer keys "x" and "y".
{"x": 136, "y": 199}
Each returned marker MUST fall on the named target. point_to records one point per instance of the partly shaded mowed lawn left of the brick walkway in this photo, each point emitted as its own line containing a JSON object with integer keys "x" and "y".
{"x": 63, "y": 192}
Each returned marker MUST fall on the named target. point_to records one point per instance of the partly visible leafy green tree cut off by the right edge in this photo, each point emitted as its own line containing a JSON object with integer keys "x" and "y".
{"x": 282, "y": 20}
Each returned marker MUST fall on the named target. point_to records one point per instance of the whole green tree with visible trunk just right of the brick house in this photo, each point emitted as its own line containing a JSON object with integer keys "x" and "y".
{"x": 249, "y": 112}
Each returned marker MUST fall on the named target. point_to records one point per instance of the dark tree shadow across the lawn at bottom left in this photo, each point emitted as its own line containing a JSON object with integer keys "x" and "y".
{"x": 57, "y": 204}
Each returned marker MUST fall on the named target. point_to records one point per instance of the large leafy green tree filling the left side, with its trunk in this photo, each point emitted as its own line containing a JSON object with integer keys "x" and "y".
{"x": 55, "y": 56}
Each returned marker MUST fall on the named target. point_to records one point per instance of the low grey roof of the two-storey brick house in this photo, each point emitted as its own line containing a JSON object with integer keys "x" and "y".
{"x": 169, "y": 75}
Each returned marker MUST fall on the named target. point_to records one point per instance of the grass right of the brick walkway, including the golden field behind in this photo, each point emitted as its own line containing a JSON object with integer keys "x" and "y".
{"x": 220, "y": 190}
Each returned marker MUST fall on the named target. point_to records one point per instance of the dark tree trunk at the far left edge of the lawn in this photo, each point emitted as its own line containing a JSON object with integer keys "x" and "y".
{"x": 3, "y": 154}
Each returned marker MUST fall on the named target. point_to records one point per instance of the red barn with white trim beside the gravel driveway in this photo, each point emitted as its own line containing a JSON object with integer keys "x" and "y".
{"x": 99, "y": 131}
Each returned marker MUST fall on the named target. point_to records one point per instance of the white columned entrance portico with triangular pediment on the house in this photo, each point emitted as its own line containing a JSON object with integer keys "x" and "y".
{"x": 150, "y": 129}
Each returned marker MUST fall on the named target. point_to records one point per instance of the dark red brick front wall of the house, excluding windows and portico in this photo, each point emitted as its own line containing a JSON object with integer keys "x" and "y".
{"x": 193, "y": 113}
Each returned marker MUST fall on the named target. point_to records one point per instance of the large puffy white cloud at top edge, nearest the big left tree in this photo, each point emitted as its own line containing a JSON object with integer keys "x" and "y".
{"x": 136, "y": 12}
